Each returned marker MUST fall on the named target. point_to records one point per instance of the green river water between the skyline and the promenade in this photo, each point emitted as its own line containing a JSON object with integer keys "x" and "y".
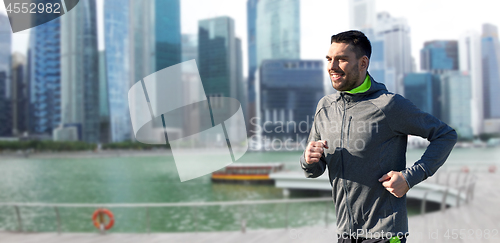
{"x": 154, "y": 179}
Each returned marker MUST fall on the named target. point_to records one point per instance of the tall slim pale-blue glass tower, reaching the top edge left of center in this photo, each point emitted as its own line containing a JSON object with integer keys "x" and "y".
{"x": 116, "y": 38}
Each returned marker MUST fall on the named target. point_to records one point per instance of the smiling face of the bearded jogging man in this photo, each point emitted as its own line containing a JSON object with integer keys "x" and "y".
{"x": 345, "y": 70}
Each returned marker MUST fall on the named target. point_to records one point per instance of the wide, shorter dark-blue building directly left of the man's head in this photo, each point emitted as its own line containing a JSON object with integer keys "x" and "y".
{"x": 286, "y": 103}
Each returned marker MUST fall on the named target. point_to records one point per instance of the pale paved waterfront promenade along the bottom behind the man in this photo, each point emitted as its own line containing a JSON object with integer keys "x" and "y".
{"x": 477, "y": 221}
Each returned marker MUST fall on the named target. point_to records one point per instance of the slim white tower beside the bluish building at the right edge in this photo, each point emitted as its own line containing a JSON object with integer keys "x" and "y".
{"x": 470, "y": 61}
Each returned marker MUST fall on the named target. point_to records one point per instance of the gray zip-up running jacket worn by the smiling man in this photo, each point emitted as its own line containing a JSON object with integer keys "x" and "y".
{"x": 367, "y": 137}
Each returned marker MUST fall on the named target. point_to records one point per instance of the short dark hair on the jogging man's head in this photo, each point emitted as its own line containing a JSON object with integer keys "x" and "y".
{"x": 360, "y": 43}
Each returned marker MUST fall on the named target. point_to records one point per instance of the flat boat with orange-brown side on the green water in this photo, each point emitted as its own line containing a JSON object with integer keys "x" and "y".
{"x": 247, "y": 173}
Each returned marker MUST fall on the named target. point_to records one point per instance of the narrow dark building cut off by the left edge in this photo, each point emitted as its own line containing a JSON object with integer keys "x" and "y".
{"x": 5, "y": 77}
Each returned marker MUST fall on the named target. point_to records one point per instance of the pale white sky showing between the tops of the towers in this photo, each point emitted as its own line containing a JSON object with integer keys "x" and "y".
{"x": 428, "y": 19}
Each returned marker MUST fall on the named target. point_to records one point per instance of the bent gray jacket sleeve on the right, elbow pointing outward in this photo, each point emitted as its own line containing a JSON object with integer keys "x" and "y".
{"x": 406, "y": 119}
